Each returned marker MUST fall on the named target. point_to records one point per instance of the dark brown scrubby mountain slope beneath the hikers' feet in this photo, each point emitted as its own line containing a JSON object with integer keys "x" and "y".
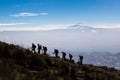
{"x": 17, "y": 63}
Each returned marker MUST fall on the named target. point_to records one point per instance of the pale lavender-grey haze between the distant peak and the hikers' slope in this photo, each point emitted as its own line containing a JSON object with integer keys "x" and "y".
{"x": 73, "y": 40}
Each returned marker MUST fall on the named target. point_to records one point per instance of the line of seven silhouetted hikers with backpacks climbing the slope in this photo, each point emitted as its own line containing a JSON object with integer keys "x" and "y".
{"x": 43, "y": 49}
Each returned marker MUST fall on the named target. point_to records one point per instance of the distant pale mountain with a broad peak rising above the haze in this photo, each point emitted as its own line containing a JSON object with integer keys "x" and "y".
{"x": 83, "y": 28}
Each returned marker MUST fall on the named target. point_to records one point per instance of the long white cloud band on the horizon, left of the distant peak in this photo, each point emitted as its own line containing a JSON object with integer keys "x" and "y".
{"x": 39, "y": 28}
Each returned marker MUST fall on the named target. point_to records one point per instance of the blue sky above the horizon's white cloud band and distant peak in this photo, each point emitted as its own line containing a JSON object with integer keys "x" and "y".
{"x": 32, "y": 13}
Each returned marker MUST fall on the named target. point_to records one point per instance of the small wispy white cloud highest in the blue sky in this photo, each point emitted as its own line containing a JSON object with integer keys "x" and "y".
{"x": 28, "y": 14}
